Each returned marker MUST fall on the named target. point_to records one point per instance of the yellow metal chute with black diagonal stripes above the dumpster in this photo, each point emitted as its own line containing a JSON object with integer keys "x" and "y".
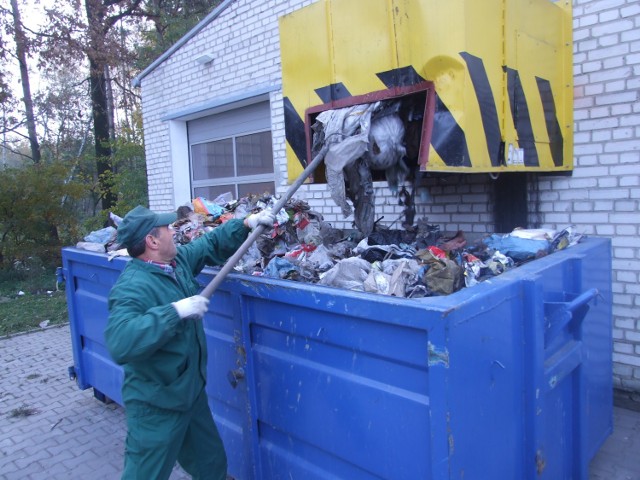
{"x": 495, "y": 76}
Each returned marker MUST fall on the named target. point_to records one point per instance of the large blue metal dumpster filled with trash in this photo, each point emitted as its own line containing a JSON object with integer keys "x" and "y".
{"x": 509, "y": 379}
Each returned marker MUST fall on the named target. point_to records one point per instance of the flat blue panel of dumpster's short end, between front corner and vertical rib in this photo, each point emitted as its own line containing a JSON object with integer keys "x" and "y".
{"x": 485, "y": 391}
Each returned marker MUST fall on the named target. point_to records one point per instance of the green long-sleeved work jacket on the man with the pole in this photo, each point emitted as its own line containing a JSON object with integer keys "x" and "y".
{"x": 164, "y": 358}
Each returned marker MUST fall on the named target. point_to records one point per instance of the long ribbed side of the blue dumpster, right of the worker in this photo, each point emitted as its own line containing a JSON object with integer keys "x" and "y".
{"x": 332, "y": 376}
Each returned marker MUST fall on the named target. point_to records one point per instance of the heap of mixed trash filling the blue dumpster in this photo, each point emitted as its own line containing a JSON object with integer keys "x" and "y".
{"x": 419, "y": 262}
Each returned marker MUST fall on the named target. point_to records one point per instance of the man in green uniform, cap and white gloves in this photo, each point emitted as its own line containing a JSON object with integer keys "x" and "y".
{"x": 155, "y": 332}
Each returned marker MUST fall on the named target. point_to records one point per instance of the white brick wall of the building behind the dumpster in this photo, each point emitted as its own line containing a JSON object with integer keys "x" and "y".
{"x": 601, "y": 197}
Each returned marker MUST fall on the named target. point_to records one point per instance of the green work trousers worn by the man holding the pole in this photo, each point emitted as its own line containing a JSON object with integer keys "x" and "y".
{"x": 156, "y": 438}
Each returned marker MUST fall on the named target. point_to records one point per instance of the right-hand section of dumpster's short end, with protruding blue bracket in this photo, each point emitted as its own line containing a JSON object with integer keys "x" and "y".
{"x": 575, "y": 410}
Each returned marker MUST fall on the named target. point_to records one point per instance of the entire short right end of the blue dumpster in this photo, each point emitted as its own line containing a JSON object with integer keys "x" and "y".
{"x": 530, "y": 367}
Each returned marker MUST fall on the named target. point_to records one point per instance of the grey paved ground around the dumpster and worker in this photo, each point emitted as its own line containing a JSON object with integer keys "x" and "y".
{"x": 49, "y": 429}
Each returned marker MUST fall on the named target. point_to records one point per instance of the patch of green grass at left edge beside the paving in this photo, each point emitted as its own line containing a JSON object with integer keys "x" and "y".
{"x": 38, "y": 304}
